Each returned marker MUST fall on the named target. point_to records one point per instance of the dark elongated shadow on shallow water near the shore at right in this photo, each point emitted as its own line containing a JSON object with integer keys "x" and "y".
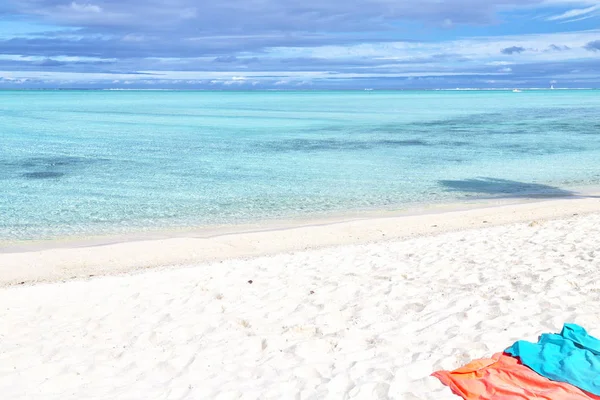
{"x": 506, "y": 188}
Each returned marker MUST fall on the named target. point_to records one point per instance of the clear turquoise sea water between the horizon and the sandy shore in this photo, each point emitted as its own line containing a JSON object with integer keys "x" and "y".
{"x": 76, "y": 163}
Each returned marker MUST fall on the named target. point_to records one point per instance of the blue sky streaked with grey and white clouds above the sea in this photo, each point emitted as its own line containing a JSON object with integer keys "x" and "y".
{"x": 299, "y": 44}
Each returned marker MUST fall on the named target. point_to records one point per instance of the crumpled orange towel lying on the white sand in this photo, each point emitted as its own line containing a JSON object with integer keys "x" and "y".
{"x": 504, "y": 378}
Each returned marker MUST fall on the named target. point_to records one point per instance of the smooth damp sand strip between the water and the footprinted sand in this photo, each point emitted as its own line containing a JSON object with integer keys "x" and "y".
{"x": 62, "y": 260}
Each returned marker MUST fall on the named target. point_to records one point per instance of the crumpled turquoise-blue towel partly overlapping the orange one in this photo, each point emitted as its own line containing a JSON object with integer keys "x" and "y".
{"x": 573, "y": 357}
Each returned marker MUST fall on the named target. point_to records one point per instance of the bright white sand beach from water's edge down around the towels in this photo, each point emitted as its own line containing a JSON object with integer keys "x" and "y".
{"x": 365, "y": 309}
